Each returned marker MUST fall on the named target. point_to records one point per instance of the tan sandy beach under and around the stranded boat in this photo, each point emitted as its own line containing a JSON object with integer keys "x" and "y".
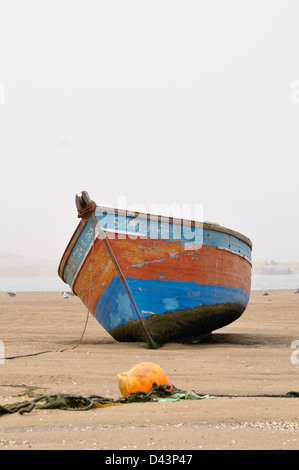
{"x": 252, "y": 356}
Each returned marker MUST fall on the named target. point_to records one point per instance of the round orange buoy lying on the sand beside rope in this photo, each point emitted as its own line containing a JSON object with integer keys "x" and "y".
{"x": 142, "y": 376}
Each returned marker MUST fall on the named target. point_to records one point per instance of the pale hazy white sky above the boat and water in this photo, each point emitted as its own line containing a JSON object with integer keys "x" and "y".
{"x": 156, "y": 102}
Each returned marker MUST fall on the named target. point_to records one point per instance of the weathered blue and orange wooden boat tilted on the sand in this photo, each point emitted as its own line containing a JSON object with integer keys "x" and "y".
{"x": 143, "y": 278}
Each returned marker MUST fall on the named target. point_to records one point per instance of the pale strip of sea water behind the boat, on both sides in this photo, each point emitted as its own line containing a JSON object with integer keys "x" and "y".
{"x": 54, "y": 284}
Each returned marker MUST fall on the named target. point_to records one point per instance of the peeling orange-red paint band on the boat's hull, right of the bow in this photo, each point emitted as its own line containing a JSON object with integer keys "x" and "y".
{"x": 205, "y": 266}
